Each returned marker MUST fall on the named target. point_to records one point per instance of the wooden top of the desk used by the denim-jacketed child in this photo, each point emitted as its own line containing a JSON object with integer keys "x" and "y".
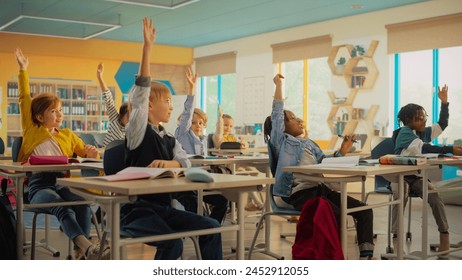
{"x": 357, "y": 170}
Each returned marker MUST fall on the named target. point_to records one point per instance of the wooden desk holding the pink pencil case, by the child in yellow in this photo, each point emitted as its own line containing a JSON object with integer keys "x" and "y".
{"x": 17, "y": 171}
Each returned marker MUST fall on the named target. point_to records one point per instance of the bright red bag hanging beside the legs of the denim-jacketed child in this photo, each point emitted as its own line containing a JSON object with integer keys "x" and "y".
{"x": 317, "y": 235}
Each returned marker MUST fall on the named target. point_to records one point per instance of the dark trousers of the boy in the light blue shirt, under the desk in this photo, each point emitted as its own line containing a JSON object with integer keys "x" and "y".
{"x": 219, "y": 204}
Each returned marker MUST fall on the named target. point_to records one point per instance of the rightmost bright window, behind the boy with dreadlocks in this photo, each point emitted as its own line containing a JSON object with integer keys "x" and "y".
{"x": 421, "y": 73}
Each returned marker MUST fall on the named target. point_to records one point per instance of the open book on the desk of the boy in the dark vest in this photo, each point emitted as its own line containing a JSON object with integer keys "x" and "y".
{"x": 136, "y": 173}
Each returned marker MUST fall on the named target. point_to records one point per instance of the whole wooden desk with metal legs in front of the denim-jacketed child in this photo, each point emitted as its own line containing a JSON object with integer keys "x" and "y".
{"x": 357, "y": 174}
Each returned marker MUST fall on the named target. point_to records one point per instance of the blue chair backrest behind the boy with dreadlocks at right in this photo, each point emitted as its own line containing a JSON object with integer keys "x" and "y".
{"x": 381, "y": 146}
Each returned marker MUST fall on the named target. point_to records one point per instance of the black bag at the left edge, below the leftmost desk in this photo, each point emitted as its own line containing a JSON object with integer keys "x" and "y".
{"x": 7, "y": 226}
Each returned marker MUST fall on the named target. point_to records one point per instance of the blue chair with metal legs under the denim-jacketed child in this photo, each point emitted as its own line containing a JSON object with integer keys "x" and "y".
{"x": 275, "y": 209}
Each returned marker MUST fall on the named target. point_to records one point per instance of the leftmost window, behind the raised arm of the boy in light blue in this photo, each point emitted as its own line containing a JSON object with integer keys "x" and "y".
{"x": 213, "y": 91}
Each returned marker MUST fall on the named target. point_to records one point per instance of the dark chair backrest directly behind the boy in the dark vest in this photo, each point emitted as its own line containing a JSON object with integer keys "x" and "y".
{"x": 114, "y": 157}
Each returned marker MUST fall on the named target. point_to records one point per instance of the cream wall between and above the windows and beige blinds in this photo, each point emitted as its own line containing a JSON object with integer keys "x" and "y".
{"x": 254, "y": 54}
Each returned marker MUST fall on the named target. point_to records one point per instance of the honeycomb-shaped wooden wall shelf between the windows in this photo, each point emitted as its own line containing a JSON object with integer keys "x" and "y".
{"x": 360, "y": 72}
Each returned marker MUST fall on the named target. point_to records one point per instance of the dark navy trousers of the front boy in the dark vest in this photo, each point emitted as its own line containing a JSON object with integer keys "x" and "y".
{"x": 146, "y": 218}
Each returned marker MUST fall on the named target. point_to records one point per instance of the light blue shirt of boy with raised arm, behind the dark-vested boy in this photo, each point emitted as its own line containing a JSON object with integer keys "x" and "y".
{"x": 192, "y": 144}
